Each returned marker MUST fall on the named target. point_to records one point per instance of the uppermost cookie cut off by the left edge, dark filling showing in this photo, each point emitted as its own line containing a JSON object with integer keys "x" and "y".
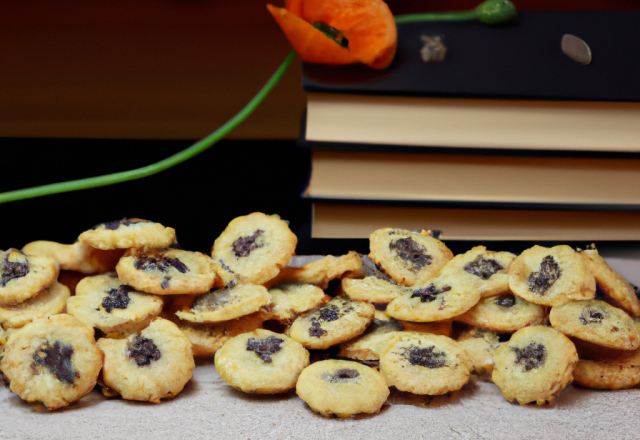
{"x": 23, "y": 276}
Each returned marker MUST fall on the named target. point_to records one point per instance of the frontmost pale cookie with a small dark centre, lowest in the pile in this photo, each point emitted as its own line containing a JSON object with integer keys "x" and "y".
{"x": 343, "y": 388}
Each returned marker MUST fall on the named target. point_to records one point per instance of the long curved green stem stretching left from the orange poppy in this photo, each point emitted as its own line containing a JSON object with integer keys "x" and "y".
{"x": 177, "y": 158}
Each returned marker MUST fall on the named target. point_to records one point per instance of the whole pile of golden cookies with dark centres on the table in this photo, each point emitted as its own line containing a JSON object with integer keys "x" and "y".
{"x": 409, "y": 316}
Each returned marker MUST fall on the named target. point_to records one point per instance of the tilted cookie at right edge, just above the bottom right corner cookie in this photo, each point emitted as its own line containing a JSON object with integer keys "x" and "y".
{"x": 597, "y": 322}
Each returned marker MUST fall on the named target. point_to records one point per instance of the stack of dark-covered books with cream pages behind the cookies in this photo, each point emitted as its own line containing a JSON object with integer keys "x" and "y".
{"x": 506, "y": 139}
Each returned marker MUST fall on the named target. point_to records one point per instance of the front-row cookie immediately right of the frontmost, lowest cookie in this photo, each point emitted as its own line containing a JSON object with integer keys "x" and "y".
{"x": 425, "y": 364}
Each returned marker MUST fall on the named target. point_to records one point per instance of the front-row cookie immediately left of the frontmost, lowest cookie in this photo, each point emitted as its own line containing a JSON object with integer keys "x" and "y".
{"x": 261, "y": 362}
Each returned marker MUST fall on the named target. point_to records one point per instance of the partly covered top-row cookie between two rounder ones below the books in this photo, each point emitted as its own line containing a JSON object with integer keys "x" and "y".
{"x": 487, "y": 270}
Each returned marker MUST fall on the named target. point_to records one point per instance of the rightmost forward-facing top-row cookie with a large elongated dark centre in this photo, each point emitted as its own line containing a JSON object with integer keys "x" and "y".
{"x": 551, "y": 276}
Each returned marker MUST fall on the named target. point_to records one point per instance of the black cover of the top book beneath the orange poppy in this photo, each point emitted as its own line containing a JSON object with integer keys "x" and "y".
{"x": 519, "y": 60}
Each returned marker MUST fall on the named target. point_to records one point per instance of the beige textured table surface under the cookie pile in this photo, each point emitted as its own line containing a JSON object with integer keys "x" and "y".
{"x": 209, "y": 409}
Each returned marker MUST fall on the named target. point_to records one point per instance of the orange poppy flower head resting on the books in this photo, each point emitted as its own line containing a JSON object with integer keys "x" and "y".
{"x": 339, "y": 31}
